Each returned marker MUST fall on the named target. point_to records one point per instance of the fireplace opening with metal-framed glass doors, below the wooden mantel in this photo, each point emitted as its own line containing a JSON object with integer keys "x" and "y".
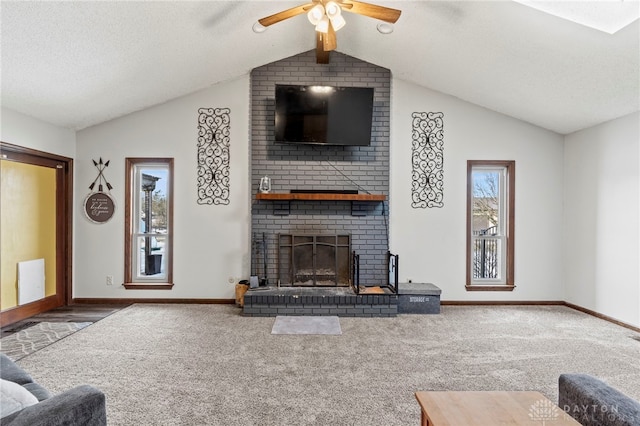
{"x": 314, "y": 260}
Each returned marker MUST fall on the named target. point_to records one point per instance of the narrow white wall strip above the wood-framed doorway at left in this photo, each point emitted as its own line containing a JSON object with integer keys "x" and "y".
{"x": 28, "y": 132}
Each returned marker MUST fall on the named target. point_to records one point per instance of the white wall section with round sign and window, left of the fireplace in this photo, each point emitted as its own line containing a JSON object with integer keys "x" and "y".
{"x": 211, "y": 242}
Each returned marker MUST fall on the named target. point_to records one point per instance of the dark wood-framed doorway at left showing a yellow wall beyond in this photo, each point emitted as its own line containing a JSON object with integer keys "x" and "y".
{"x": 36, "y": 223}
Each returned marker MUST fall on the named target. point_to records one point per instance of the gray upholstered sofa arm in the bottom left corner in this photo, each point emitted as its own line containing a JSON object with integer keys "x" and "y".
{"x": 83, "y": 406}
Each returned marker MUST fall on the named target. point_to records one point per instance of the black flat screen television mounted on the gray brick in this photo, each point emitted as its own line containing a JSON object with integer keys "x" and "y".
{"x": 325, "y": 115}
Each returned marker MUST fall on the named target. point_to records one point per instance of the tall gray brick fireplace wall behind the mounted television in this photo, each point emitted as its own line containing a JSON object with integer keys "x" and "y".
{"x": 291, "y": 167}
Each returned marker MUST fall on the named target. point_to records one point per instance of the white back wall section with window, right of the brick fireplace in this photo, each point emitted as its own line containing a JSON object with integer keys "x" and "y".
{"x": 431, "y": 242}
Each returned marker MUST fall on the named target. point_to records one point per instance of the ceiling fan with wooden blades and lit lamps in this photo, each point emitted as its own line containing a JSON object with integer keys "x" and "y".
{"x": 327, "y": 17}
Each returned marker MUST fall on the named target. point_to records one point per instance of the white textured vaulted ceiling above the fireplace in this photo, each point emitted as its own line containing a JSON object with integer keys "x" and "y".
{"x": 79, "y": 63}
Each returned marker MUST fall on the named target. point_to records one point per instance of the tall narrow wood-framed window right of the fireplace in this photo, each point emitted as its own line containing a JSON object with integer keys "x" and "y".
{"x": 490, "y": 225}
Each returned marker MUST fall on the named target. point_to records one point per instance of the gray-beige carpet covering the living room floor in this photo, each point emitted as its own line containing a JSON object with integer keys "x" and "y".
{"x": 208, "y": 365}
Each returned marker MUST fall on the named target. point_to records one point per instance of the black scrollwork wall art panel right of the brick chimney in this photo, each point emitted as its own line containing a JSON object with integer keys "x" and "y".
{"x": 427, "y": 175}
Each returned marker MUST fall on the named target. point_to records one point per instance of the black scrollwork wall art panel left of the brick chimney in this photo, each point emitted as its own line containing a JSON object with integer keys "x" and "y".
{"x": 213, "y": 155}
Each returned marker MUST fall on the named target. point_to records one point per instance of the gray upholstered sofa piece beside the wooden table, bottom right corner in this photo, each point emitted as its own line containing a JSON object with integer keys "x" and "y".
{"x": 594, "y": 403}
